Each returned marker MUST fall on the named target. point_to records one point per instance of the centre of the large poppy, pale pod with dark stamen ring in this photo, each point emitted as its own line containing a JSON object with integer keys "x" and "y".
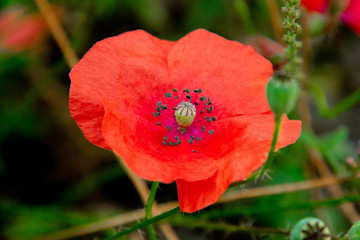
{"x": 187, "y": 119}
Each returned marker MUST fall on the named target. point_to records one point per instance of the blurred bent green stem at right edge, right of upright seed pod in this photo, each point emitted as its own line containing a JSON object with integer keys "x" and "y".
{"x": 340, "y": 107}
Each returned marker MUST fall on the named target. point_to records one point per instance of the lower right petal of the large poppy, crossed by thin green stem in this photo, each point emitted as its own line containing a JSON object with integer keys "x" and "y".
{"x": 250, "y": 148}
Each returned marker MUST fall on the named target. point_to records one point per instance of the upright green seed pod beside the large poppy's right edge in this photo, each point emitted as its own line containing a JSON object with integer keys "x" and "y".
{"x": 282, "y": 92}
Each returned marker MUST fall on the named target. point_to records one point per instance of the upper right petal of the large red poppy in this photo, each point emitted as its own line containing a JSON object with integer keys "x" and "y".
{"x": 234, "y": 74}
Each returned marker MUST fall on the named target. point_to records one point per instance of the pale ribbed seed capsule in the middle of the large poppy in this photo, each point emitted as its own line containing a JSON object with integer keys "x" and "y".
{"x": 185, "y": 113}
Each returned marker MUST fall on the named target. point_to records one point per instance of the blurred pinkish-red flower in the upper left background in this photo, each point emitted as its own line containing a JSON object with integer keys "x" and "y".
{"x": 19, "y": 31}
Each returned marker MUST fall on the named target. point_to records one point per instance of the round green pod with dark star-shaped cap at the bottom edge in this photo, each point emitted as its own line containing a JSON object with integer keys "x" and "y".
{"x": 310, "y": 228}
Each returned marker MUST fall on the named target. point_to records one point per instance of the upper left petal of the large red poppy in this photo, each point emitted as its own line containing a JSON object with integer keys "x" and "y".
{"x": 114, "y": 69}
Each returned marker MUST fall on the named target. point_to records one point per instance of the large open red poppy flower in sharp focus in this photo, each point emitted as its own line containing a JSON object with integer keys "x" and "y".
{"x": 126, "y": 91}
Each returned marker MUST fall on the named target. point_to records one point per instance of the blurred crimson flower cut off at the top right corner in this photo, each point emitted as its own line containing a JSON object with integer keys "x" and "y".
{"x": 351, "y": 16}
